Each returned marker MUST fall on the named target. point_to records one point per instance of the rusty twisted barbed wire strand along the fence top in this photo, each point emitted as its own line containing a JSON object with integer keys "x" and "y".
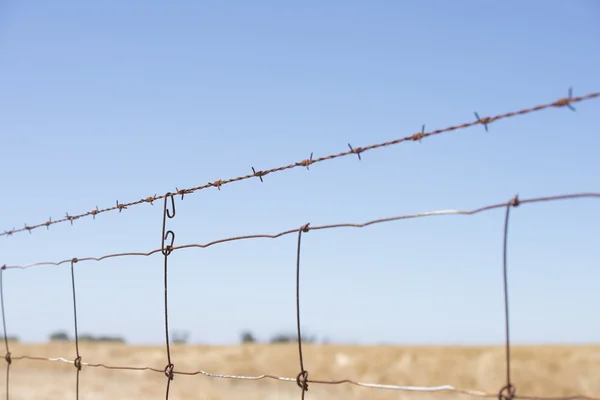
{"x": 485, "y": 121}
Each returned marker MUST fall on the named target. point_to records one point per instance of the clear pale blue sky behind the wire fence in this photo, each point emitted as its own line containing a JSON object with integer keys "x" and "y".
{"x": 122, "y": 100}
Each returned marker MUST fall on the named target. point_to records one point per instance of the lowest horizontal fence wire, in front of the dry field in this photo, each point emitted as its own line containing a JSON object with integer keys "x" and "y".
{"x": 441, "y": 388}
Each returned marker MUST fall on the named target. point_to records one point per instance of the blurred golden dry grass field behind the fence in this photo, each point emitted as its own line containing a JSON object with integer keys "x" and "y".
{"x": 537, "y": 371}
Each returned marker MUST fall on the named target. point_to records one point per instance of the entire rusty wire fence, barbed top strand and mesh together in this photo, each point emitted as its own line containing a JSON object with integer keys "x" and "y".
{"x": 506, "y": 392}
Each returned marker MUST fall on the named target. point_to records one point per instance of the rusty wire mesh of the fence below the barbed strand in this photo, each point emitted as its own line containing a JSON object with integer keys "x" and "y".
{"x": 507, "y": 392}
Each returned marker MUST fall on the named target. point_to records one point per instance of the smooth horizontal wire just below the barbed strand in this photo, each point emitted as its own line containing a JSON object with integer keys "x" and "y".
{"x": 314, "y": 228}
